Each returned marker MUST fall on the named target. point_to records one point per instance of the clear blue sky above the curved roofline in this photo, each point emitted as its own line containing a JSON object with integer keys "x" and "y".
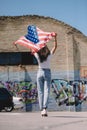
{"x": 71, "y": 12}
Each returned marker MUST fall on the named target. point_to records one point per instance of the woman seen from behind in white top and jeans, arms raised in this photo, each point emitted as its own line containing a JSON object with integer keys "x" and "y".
{"x": 43, "y": 57}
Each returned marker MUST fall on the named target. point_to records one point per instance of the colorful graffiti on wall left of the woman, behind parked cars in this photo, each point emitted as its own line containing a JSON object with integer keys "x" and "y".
{"x": 26, "y": 90}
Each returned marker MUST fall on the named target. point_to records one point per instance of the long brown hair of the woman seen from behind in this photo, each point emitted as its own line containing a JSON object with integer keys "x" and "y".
{"x": 43, "y": 53}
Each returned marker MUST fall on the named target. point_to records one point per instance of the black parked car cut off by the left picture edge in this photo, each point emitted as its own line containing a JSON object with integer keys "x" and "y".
{"x": 6, "y": 100}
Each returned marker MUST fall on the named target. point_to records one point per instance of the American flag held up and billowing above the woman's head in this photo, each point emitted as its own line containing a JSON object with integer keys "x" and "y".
{"x": 35, "y": 39}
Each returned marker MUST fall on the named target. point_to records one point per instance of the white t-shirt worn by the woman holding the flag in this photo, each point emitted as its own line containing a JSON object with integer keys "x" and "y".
{"x": 44, "y": 64}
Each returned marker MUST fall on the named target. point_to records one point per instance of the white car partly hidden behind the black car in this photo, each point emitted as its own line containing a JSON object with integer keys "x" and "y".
{"x": 18, "y": 102}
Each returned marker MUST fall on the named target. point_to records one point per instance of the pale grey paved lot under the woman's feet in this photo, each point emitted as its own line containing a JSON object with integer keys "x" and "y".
{"x": 34, "y": 121}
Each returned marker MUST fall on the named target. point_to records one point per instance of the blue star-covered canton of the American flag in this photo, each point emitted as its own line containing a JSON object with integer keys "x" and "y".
{"x": 32, "y": 34}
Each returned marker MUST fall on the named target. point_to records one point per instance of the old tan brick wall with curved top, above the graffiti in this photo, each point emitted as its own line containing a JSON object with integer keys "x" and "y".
{"x": 69, "y": 60}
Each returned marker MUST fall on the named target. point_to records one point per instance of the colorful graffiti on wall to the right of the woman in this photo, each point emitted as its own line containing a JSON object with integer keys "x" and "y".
{"x": 69, "y": 93}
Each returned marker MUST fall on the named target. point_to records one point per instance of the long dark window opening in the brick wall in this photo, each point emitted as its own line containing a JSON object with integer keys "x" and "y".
{"x": 16, "y": 58}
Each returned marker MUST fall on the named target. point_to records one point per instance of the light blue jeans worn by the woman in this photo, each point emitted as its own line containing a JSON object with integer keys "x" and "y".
{"x": 43, "y": 86}
